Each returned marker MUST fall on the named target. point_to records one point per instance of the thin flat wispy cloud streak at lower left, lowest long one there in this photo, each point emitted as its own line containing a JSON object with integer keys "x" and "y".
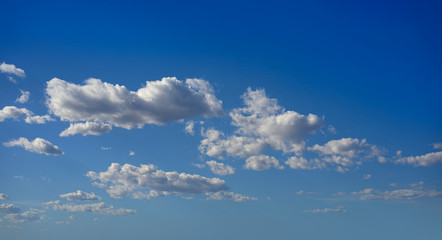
{"x": 99, "y": 208}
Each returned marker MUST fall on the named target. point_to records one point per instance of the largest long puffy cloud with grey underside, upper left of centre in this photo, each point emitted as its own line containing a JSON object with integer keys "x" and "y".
{"x": 159, "y": 102}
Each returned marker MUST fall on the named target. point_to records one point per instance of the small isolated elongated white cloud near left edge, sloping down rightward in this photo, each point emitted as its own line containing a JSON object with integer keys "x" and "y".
{"x": 38, "y": 145}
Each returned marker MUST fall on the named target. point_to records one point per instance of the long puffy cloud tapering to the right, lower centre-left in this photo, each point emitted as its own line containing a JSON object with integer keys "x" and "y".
{"x": 120, "y": 181}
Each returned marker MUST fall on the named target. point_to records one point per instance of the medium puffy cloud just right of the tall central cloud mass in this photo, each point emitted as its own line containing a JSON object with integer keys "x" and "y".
{"x": 341, "y": 152}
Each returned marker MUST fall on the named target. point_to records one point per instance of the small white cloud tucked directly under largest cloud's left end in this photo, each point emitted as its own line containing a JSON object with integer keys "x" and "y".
{"x": 87, "y": 128}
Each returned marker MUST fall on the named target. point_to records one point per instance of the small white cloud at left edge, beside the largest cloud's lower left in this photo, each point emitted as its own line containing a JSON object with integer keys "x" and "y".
{"x": 29, "y": 117}
